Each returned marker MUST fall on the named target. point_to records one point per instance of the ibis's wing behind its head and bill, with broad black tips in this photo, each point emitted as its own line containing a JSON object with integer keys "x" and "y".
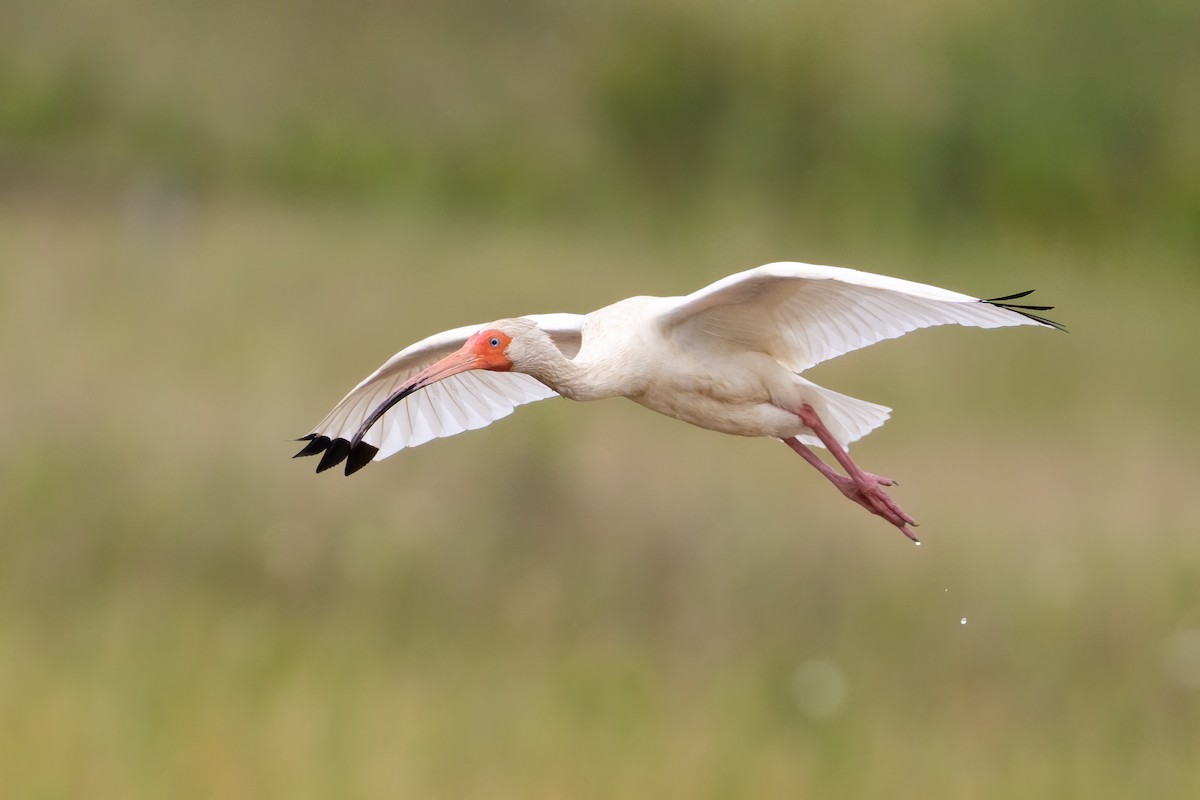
{"x": 464, "y": 402}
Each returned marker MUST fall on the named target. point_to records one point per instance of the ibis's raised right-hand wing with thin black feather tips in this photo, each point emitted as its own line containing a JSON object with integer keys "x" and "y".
{"x": 803, "y": 315}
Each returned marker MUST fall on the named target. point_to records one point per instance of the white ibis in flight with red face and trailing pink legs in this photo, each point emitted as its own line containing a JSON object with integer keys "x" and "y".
{"x": 728, "y": 358}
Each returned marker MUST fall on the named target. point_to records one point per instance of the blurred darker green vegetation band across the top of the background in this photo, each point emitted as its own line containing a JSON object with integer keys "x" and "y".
{"x": 1067, "y": 118}
